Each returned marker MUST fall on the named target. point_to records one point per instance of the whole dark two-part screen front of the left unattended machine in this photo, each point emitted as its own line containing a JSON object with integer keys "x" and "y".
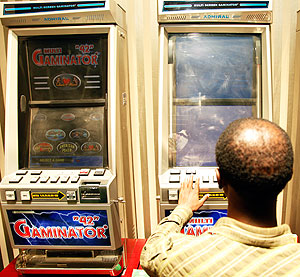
{"x": 62, "y": 101}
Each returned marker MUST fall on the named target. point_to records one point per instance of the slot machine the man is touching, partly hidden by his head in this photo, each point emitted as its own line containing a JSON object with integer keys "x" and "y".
{"x": 214, "y": 68}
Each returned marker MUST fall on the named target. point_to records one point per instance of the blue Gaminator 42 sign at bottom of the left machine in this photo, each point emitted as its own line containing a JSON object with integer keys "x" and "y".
{"x": 59, "y": 227}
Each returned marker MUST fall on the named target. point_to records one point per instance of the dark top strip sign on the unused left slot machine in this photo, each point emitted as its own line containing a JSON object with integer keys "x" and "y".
{"x": 33, "y": 8}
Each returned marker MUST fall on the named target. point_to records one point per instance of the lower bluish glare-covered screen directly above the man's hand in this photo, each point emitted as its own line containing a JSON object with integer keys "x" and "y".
{"x": 198, "y": 129}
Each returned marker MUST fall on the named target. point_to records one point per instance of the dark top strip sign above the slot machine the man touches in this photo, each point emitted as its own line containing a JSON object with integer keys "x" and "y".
{"x": 169, "y": 6}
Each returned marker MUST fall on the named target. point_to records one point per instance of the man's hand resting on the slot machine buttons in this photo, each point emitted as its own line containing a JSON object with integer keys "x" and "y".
{"x": 189, "y": 196}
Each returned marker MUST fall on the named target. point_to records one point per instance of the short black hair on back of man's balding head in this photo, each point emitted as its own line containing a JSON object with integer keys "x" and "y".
{"x": 255, "y": 156}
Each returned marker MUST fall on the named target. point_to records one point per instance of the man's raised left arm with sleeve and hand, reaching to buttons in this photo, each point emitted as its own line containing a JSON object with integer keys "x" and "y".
{"x": 160, "y": 242}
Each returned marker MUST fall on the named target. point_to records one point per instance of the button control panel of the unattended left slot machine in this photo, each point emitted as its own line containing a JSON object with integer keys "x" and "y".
{"x": 71, "y": 186}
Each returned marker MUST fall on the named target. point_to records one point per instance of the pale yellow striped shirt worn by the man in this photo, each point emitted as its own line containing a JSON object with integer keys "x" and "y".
{"x": 230, "y": 248}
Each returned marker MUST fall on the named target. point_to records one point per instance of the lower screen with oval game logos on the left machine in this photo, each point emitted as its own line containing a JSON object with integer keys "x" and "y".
{"x": 68, "y": 137}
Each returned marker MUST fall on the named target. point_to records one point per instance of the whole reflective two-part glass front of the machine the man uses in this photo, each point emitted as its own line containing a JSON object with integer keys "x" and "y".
{"x": 215, "y": 80}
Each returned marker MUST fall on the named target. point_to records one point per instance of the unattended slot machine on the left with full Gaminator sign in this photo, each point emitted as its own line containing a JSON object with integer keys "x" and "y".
{"x": 59, "y": 194}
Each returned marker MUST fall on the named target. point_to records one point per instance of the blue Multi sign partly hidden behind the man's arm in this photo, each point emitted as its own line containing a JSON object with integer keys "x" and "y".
{"x": 201, "y": 221}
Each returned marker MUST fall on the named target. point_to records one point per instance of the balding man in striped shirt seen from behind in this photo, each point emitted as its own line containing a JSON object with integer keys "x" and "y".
{"x": 255, "y": 160}
